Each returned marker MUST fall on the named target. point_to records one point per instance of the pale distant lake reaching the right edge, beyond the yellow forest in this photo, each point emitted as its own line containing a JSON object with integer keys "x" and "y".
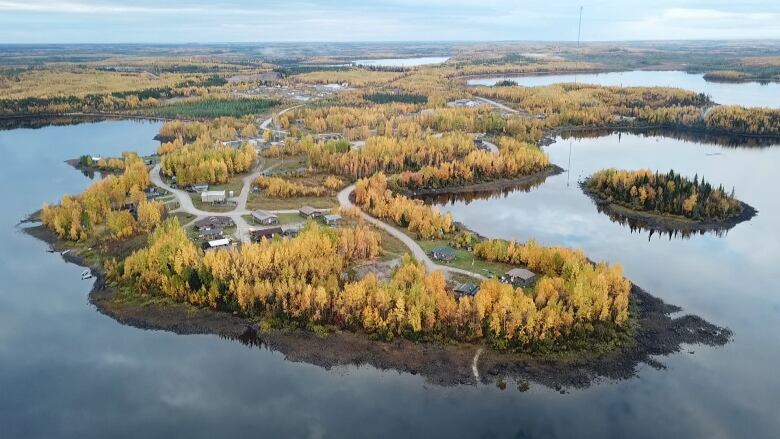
{"x": 750, "y": 94}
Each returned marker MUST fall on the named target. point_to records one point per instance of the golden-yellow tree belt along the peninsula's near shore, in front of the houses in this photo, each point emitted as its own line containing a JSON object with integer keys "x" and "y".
{"x": 301, "y": 279}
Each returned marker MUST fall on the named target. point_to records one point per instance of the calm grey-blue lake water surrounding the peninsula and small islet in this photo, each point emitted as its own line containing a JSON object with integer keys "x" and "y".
{"x": 67, "y": 371}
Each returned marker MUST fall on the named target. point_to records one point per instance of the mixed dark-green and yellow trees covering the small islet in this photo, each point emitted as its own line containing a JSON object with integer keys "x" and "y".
{"x": 668, "y": 193}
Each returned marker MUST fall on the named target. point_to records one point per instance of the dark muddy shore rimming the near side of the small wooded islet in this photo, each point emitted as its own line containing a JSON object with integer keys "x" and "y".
{"x": 666, "y": 224}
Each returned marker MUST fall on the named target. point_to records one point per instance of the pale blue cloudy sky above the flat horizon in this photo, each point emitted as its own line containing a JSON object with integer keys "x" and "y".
{"x": 199, "y": 21}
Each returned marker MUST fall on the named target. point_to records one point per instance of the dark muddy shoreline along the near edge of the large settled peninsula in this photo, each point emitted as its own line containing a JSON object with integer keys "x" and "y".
{"x": 655, "y": 332}
